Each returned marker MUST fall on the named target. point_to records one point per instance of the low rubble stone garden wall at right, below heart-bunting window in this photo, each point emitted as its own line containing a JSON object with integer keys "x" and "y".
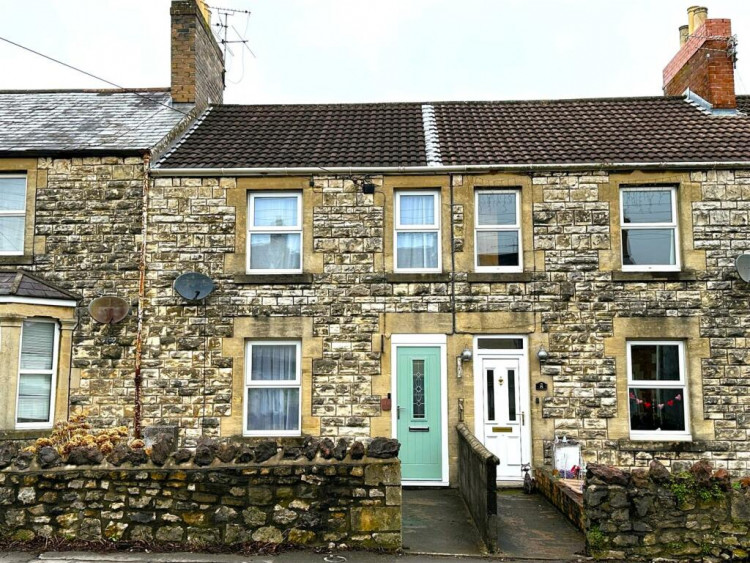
{"x": 647, "y": 514}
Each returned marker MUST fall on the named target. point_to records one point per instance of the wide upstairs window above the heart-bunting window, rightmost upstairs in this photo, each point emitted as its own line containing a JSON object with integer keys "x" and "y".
{"x": 649, "y": 229}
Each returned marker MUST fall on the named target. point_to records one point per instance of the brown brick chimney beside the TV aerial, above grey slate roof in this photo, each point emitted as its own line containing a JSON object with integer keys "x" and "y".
{"x": 197, "y": 60}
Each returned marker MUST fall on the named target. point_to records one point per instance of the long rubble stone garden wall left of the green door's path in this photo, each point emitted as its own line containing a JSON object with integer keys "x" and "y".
{"x": 311, "y": 494}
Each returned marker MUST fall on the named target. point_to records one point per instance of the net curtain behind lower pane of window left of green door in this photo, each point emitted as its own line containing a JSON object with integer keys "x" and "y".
{"x": 273, "y": 408}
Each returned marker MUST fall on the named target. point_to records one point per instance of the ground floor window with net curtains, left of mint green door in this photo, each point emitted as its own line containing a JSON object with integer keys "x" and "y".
{"x": 272, "y": 388}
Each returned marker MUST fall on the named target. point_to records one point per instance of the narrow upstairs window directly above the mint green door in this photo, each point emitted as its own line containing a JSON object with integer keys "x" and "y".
{"x": 417, "y": 228}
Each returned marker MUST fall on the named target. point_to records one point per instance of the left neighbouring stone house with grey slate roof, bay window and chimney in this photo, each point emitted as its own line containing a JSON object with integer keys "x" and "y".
{"x": 73, "y": 175}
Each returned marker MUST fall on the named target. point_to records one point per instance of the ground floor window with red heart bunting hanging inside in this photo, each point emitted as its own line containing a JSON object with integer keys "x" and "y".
{"x": 657, "y": 390}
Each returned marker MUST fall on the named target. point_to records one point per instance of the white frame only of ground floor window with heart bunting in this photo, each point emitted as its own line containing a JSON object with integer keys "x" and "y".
{"x": 660, "y": 435}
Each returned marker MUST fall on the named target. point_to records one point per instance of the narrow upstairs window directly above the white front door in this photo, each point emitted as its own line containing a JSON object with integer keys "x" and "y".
{"x": 497, "y": 234}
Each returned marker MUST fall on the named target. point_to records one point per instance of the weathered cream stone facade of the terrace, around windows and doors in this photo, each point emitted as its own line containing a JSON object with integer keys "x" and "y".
{"x": 572, "y": 298}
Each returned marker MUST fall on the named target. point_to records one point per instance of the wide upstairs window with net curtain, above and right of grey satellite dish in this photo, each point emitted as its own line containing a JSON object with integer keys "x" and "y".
{"x": 274, "y": 239}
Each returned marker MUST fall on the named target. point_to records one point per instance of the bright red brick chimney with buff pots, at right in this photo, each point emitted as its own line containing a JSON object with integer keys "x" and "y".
{"x": 705, "y": 62}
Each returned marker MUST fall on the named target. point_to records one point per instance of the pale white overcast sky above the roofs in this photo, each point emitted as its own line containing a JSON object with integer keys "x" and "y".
{"x": 372, "y": 50}
